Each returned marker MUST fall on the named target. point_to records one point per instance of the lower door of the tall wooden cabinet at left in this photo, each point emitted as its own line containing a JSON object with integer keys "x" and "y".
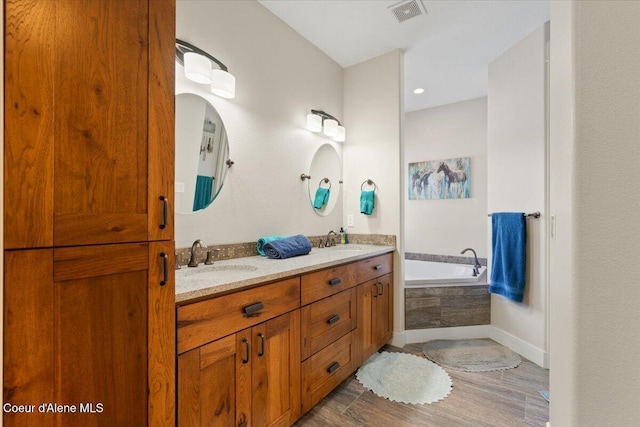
{"x": 103, "y": 330}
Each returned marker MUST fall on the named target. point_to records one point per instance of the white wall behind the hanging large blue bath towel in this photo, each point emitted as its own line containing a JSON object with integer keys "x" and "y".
{"x": 517, "y": 182}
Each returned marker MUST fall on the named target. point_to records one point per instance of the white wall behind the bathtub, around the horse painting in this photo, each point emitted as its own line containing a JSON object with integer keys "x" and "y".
{"x": 445, "y": 227}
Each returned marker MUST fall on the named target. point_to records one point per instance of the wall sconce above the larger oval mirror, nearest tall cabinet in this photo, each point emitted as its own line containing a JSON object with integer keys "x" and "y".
{"x": 198, "y": 68}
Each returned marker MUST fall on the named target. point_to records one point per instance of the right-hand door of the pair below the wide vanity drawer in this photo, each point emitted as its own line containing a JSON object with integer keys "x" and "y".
{"x": 275, "y": 397}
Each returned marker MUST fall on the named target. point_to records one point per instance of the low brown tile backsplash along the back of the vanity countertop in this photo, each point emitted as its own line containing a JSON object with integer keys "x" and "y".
{"x": 248, "y": 249}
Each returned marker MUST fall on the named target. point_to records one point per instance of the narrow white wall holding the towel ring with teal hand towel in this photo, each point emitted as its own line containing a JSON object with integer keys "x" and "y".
{"x": 373, "y": 112}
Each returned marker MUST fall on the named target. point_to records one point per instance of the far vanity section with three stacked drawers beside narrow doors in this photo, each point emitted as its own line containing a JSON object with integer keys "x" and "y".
{"x": 348, "y": 317}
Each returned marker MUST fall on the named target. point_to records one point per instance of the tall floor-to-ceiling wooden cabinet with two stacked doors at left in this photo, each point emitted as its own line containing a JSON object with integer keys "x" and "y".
{"x": 89, "y": 318}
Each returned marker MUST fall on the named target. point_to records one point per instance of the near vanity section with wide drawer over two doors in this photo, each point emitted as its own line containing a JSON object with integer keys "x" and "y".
{"x": 239, "y": 361}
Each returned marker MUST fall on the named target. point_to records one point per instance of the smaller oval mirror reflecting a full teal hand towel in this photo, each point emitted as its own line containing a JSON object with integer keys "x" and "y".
{"x": 326, "y": 180}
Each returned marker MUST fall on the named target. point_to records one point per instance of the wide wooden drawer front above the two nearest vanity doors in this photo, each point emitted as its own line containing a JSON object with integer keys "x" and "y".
{"x": 205, "y": 321}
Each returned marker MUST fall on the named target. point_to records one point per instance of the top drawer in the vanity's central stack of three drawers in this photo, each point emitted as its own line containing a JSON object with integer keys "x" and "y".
{"x": 324, "y": 283}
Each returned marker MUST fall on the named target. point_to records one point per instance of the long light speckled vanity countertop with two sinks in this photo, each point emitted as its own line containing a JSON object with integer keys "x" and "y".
{"x": 234, "y": 274}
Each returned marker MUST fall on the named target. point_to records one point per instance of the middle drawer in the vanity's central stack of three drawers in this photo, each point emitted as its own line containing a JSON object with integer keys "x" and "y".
{"x": 327, "y": 320}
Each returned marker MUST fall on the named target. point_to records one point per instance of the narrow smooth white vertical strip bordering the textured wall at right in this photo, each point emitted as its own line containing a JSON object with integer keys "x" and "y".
{"x": 562, "y": 287}
